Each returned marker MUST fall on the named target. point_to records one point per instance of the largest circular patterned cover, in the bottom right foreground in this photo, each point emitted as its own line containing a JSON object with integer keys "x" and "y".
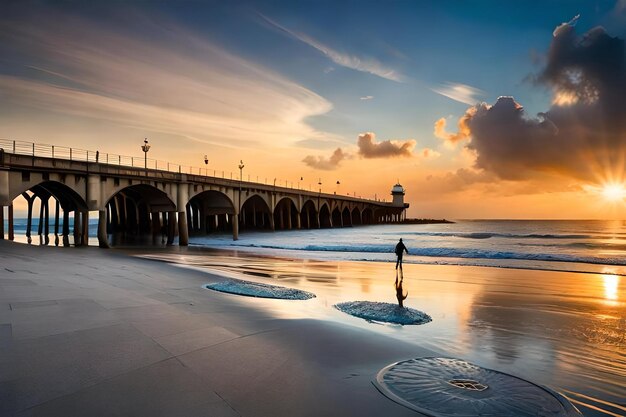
{"x": 445, "y": 387}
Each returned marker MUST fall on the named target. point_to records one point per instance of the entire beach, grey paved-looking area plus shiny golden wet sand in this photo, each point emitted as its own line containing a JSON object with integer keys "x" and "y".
{"x": 121, "y": 332}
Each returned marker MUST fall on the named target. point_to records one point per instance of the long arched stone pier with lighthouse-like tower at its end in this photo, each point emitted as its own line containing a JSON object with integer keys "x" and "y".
{"x": 138, "y": 199}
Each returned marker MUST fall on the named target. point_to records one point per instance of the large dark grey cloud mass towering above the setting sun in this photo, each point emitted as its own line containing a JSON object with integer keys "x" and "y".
{"x": 581, "y": 136}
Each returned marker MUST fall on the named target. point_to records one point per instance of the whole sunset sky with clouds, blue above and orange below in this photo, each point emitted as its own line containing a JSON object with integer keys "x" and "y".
{"x": 486, "y": 109}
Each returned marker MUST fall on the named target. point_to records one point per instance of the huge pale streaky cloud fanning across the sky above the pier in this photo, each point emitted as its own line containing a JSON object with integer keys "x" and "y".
{"x": 181, "y": 85}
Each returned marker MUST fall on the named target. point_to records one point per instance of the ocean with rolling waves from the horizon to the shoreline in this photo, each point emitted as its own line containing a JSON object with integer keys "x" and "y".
{"x": 579, "y": 246}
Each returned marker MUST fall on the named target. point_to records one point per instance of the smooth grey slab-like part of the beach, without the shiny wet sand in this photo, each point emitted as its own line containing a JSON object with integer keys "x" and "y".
{"x": 92, "y": 332}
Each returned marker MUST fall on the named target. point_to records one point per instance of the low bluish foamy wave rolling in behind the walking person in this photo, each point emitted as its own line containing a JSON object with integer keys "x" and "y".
{"x": 447, "y": 253}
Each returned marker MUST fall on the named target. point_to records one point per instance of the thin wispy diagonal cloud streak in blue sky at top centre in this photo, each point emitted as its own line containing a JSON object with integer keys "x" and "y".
{"x": 369, "y": 65}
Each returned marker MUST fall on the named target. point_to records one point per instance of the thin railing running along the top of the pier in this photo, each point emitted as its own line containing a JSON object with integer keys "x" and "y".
{"x": 77, "y": 154}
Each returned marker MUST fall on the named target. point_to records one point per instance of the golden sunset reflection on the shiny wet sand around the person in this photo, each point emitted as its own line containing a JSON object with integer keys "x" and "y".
{"x": 546, "y": 326}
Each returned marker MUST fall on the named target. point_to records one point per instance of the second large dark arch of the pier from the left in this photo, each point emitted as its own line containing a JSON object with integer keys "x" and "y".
{"x": 139, "y": 214}
